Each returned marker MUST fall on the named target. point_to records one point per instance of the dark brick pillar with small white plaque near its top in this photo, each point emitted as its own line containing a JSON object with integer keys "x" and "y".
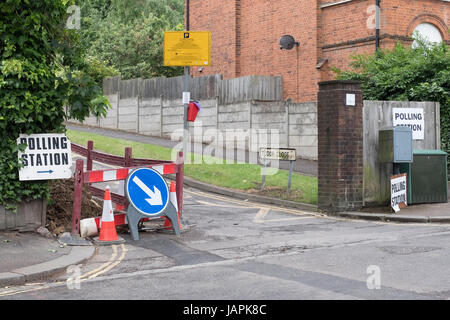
{"x": 340, "y": 154}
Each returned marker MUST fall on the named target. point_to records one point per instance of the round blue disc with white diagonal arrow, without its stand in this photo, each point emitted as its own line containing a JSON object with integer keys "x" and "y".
{"x": 147, "y": 191}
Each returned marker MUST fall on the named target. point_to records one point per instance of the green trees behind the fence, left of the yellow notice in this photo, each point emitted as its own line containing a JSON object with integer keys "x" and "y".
{"x": 127, "y": 35}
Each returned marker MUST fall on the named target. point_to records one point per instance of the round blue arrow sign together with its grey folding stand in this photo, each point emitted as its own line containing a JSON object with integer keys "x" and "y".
{"x": 148, "y": 195}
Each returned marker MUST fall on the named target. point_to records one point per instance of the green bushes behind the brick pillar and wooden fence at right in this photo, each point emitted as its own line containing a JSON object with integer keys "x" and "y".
{"x": 413, "y": 74}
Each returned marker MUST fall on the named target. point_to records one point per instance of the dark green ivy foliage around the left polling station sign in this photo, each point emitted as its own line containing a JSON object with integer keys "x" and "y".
{"x": 42, "y": 69}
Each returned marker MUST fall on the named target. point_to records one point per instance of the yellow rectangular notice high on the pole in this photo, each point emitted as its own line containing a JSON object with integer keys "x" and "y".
{"x": 187, "y": 48}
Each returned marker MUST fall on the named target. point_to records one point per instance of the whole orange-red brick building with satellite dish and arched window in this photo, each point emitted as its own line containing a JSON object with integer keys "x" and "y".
{"x": 246, "y": 35}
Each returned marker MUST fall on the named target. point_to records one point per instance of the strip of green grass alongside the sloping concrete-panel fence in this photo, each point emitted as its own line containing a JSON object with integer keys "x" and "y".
{"x": 244, "y": 177}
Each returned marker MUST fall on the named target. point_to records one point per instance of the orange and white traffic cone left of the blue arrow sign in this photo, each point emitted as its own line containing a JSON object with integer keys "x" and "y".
{"x": 108, "y": 233}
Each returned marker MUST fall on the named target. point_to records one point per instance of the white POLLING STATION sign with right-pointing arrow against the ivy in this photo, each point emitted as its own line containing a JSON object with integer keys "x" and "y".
{"x": 47, "y": 156}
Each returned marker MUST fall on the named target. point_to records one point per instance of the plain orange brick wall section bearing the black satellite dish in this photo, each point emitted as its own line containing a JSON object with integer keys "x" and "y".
{"x": 255, "y": 44}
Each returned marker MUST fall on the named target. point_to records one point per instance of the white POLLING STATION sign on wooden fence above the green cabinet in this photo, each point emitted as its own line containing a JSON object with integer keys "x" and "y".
{"x": 410, "y": 117}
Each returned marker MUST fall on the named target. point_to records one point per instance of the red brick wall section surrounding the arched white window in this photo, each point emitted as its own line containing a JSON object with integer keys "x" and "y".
{"x": 355, "y": 20}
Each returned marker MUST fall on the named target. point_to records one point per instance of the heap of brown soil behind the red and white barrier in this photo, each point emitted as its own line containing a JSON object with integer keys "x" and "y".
{"x": 60, "y": 207}
